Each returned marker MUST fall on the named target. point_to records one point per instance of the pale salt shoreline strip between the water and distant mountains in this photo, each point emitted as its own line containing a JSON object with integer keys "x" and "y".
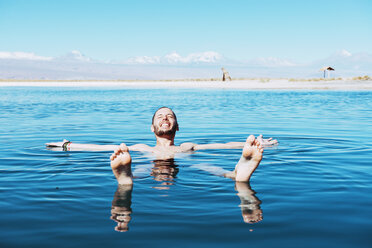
{"x": 274, "y": 84}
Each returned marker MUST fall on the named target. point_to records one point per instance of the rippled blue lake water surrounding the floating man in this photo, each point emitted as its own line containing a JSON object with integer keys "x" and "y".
{"x": 312, "y": 190}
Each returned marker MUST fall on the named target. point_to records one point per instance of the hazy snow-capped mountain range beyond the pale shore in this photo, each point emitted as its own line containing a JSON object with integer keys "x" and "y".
{"x": 76, "y": 65}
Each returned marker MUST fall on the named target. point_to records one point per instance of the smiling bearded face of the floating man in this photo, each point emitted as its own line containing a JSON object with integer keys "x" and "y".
{"x": 164, "y": 122}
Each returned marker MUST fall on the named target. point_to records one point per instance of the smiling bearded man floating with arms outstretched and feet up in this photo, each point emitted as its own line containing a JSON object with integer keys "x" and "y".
{"x": 165, "y": 125}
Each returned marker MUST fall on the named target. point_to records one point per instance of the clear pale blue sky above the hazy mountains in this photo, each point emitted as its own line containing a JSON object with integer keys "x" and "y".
{"x": 241, "y": 30}
